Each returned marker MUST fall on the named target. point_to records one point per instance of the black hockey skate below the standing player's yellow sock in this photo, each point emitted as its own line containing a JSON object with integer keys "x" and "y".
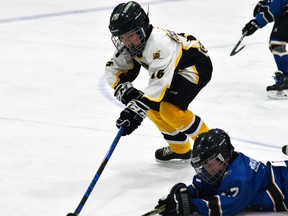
{"x": 165, "y": 155}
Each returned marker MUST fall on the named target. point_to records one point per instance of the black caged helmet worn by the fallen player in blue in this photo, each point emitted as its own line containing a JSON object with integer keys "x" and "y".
{"x": 212, "y": 145}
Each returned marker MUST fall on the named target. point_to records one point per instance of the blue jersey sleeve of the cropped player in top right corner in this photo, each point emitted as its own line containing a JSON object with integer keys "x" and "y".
{"x": 267, "y": 11}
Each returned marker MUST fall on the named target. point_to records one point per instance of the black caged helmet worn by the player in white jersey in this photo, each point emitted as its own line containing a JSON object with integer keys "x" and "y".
{"x": 125, "y": 18}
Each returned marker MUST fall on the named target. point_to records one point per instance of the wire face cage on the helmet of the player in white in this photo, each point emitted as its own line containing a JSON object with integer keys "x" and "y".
{"x": 134, "y": 47}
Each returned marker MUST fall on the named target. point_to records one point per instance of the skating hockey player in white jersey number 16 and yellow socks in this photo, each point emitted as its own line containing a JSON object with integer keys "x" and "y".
{"x": 178, "y": 66}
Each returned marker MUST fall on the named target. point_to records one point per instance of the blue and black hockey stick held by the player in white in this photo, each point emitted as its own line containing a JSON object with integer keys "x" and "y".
{"x": 98, "y": 173}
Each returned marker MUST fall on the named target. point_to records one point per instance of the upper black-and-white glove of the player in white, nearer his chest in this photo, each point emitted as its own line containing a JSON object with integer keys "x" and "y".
{"x": 125, "y": 92}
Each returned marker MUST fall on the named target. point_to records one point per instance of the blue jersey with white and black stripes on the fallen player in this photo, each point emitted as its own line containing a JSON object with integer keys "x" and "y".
{"x": 247, "y": 183}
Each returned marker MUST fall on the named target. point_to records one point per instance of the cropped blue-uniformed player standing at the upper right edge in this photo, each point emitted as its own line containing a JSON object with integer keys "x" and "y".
{"x": 267, "y": 11}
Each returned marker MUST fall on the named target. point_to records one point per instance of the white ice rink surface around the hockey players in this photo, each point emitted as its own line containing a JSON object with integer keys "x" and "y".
{"x": 57, "y": 114}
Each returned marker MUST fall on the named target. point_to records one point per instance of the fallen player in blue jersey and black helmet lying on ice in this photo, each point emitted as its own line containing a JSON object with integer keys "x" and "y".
{"x": 227, "y": 182}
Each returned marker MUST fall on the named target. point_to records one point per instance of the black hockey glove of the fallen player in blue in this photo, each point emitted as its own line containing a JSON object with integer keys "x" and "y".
{"x": 177, "y": 202}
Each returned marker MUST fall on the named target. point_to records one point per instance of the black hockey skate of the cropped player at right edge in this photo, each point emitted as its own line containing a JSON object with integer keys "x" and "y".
{"x": 280, "y": 89}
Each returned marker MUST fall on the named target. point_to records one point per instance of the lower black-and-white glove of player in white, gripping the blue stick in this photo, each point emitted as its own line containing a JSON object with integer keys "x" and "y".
{"x": 132, "y": 116}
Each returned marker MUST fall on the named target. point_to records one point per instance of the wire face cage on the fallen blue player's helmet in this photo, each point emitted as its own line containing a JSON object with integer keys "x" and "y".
{"x": 212, "y": 169}
